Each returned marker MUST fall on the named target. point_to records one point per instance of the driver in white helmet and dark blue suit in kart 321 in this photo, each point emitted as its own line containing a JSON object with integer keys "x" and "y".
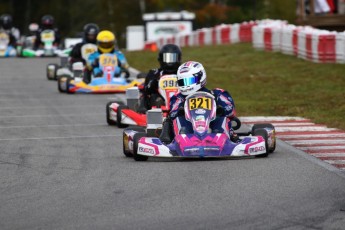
{"x": 191, "y": 77}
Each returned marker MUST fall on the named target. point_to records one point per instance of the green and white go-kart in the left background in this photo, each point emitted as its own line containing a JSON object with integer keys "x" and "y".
{"x": 48, "y": 49}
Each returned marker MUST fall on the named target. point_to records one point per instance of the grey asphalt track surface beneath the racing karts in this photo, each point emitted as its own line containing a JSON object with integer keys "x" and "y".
{"x": 62, "y": 167}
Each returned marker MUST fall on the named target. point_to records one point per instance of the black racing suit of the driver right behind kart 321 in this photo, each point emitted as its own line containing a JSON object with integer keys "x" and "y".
{"x": 149, "y": 89}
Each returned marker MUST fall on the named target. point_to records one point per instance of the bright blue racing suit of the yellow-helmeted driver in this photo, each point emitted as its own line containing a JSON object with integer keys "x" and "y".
{"x": 93, "y": 61}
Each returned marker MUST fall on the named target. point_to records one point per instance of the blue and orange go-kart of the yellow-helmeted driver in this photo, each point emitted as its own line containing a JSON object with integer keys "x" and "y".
{"x": 112, "y": 80}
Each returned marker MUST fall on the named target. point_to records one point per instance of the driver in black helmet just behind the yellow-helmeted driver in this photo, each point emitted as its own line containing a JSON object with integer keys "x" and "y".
{"x": 90, "y": 33}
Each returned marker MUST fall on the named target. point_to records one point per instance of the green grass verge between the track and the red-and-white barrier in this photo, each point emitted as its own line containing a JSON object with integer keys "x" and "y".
{"x": 266, "y": 83}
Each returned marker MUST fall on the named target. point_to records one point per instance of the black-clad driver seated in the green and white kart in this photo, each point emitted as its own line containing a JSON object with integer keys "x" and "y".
{"x": 47, "y": 23}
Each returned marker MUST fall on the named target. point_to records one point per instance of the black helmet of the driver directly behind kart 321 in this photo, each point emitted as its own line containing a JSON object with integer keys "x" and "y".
{"x": 169, "y": 57}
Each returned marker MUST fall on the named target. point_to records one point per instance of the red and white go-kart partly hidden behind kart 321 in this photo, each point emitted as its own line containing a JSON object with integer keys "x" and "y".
{"x": 124, "y": 115}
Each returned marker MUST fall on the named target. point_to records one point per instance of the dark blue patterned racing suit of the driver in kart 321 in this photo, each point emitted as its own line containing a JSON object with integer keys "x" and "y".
{"x": 222, "y": 123}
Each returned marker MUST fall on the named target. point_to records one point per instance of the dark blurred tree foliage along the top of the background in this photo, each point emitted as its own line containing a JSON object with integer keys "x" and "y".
{"x": 117, "y": 15}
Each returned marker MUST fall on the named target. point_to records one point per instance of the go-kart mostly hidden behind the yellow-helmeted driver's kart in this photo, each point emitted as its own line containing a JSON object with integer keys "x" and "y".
{"x": 54, "y": 70}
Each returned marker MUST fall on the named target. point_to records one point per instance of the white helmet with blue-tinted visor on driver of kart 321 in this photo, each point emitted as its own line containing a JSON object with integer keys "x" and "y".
{"x": 191, "y": 77}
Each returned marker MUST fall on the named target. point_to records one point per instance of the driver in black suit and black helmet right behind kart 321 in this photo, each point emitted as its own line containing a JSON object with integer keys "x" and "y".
{"x": 169, "y": 58}
